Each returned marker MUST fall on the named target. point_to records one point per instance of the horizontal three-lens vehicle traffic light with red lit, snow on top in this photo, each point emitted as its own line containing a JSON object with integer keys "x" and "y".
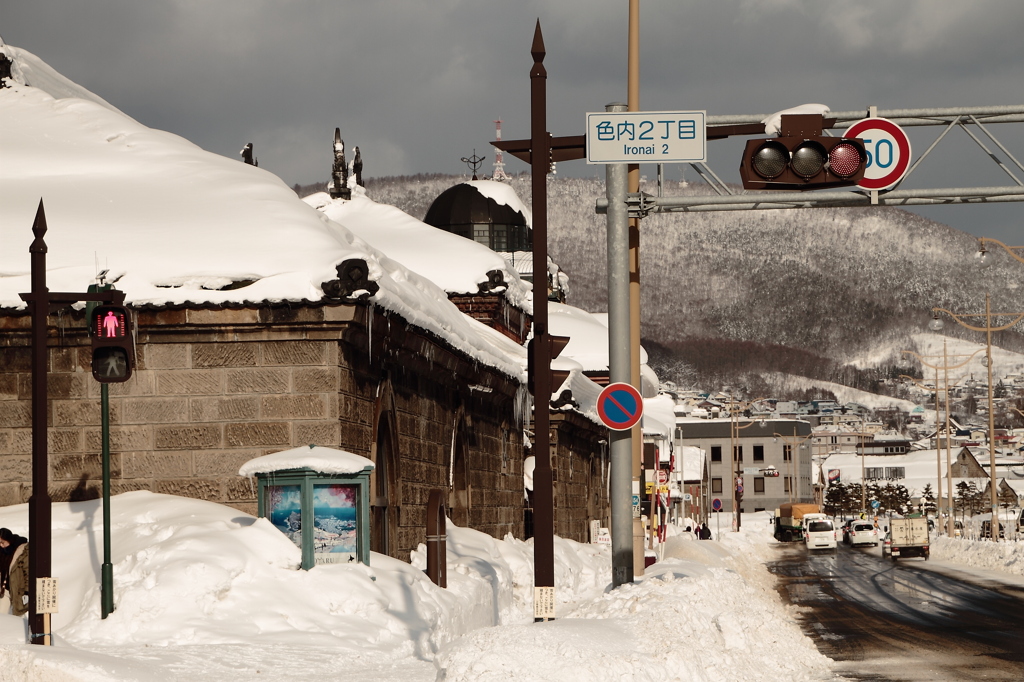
{"x": 801, "y": 158}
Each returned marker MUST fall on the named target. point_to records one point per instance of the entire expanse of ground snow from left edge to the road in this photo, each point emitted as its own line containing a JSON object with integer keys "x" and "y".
{"x": 204, "y": 592}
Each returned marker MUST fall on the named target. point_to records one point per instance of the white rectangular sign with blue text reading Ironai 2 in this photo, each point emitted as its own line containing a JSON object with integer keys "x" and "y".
{"x": 659, "y": 138}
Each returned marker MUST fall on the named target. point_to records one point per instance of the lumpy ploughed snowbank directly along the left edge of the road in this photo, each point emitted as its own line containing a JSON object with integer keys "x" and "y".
{"x": 708, "y": 611}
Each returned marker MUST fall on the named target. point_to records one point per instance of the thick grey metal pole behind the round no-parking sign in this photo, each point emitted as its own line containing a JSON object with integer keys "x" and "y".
{"x": 621, "y": 447}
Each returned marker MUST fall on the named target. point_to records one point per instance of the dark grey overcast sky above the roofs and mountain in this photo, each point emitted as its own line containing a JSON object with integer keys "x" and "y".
{"x": 417, "y": 86}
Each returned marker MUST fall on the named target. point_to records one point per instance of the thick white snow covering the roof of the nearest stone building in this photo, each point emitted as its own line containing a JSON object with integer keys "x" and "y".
{"x": 177, "y": 225}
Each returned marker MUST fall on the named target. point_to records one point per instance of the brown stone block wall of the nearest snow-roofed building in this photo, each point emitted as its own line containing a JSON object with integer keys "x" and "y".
{"x": 215, "y": 389}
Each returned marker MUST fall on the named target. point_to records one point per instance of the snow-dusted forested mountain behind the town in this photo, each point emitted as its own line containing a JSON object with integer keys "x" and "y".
{"x": 830, "y": 294}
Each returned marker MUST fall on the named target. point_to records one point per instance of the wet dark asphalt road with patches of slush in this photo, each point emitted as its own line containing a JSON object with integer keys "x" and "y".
{"x": 903, "y": 622}
